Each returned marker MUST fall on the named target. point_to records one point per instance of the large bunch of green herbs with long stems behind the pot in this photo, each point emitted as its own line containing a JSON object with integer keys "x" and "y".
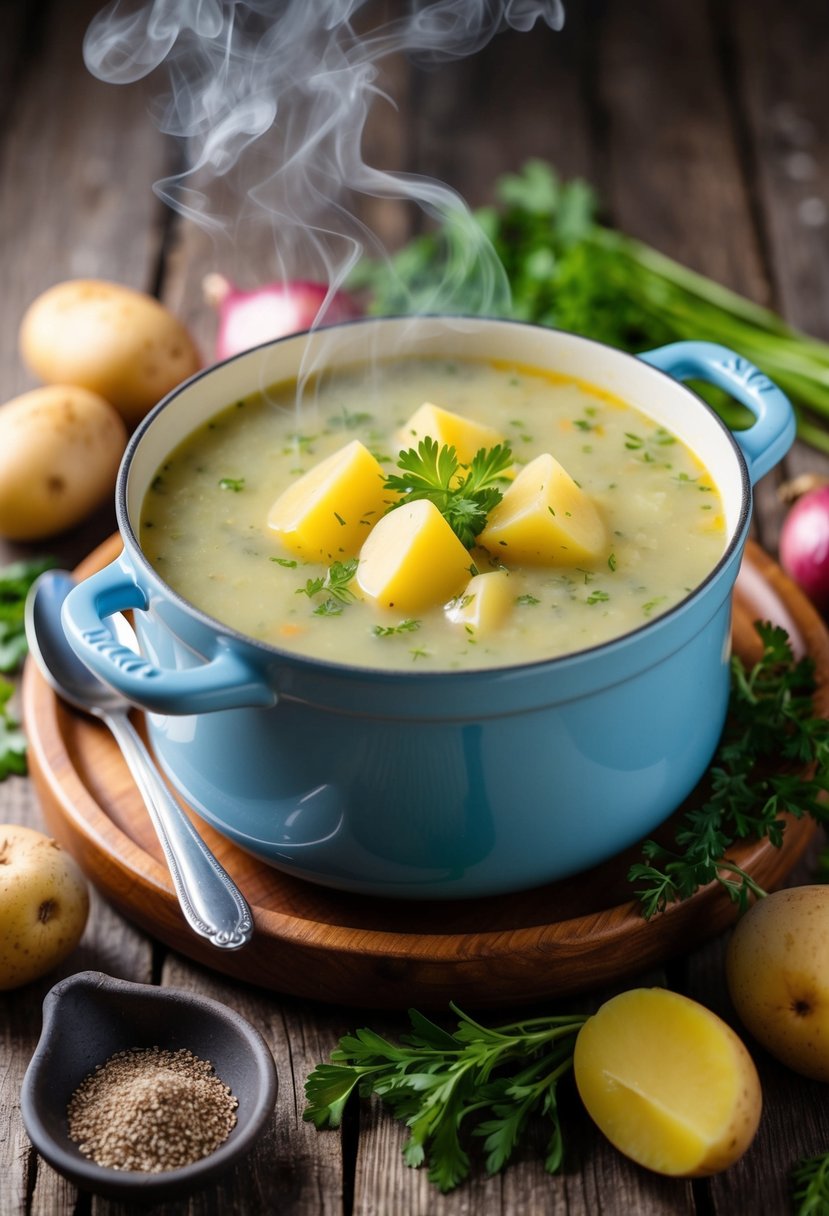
{"x": 567, "y": 271}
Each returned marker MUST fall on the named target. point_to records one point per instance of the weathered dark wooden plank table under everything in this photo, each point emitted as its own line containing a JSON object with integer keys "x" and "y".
{"x": 707, "y": 132}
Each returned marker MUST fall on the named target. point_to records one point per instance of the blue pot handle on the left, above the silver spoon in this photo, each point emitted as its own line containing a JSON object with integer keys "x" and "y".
{"x": 225, "y": 682}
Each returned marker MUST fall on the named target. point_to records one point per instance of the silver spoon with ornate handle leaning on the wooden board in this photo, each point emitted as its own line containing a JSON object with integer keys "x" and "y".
{"x": 211, "y": 902}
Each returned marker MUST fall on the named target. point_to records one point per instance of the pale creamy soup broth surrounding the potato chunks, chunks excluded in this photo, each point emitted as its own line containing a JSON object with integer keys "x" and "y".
{"x": 205, "y": 520}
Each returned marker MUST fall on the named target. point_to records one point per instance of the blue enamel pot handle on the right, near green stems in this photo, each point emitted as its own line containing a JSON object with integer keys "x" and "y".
{"x": 769, "y": 440}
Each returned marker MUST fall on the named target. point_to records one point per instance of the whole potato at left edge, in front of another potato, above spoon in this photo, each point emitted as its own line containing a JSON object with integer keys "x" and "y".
{"x": 60, "y": 449}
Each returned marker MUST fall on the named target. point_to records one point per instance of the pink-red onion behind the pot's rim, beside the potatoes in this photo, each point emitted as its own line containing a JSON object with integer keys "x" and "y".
{"x": 272, "y": 312}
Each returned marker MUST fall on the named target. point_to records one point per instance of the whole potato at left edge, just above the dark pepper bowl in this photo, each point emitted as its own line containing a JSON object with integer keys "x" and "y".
{"x": 44, "y": 905}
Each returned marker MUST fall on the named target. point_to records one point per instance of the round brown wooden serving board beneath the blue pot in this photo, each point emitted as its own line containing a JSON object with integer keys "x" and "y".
{"x": 552, "y": 942}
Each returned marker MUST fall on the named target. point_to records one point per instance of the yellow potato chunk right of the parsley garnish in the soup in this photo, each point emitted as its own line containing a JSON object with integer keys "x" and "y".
{"x": 545, "y": 520}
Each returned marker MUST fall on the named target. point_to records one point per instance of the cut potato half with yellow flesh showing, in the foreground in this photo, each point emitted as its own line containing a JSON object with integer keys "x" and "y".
{"x": 669, "y": 1083}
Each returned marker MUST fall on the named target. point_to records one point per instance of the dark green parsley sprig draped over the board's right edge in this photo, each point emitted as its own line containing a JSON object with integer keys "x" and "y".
{"x": 774, "y": 758}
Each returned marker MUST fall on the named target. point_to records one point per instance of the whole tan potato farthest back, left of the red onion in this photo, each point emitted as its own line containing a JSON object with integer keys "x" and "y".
{"x": 110, "y": 340}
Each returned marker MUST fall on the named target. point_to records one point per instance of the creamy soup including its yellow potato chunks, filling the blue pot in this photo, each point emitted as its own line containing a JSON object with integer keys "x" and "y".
{"x": 636, "y": 520}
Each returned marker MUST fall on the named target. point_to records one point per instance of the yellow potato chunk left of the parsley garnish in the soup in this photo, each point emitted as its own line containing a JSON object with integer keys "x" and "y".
{"x": 329, "y": 511}
